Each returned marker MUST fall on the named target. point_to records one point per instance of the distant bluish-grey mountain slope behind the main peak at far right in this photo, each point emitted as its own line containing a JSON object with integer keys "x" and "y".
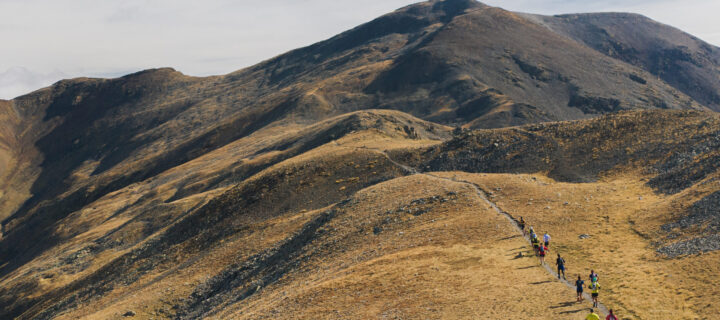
{"x": 681, "y": 60}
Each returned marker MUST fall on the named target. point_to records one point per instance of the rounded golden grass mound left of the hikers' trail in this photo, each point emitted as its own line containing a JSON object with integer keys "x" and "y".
{"x": 457, "y": 261}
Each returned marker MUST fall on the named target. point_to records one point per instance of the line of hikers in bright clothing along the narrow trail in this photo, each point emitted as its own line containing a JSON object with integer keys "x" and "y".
{"x": 541, "y": 249}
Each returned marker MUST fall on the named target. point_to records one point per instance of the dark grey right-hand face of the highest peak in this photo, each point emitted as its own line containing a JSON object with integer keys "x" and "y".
{"x": 491, "y": 61}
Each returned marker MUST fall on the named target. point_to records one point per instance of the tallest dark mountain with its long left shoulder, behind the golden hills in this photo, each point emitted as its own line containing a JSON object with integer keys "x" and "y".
{"x": 453, "y": 62}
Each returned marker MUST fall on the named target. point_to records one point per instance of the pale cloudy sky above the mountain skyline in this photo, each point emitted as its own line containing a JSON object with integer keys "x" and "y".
{"x": 43, "y": 41}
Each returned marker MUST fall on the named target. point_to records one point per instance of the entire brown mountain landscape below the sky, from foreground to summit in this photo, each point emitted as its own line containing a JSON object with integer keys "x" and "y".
{"x": 309, "y": 184}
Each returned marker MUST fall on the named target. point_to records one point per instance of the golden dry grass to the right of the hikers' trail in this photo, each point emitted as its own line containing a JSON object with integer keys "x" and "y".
{"x": 637, "y": 282}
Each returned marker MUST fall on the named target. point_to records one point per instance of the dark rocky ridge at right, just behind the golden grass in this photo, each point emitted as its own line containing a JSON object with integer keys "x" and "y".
{"x": 581, "y": 151}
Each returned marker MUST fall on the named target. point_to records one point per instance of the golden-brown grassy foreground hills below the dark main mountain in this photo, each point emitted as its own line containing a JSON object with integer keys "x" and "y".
{"x": 340, "y": 230}
